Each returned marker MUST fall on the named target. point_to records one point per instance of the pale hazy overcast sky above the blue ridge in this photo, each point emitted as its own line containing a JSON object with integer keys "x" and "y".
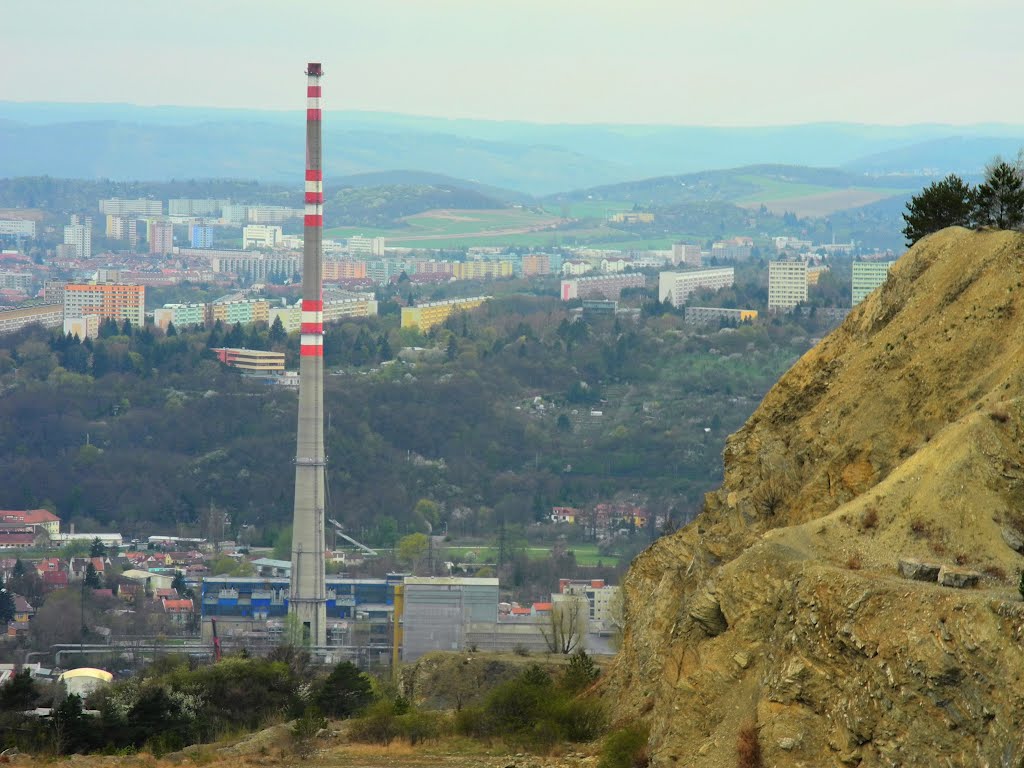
{"x": 682, "y": 62}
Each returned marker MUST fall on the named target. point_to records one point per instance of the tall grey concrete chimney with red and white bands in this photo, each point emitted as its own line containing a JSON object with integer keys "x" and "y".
{"x": 309, "y": 596}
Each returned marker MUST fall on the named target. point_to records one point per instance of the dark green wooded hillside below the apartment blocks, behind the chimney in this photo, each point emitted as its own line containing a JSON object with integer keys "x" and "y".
{"x": 141, "y": 433}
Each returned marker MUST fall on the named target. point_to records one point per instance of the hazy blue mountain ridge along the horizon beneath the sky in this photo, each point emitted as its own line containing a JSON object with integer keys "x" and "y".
{"x": 125, "y": 142}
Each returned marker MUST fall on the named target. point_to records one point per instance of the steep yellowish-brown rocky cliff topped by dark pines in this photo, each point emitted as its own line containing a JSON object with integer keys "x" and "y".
{"x": 783, "y": 607}
